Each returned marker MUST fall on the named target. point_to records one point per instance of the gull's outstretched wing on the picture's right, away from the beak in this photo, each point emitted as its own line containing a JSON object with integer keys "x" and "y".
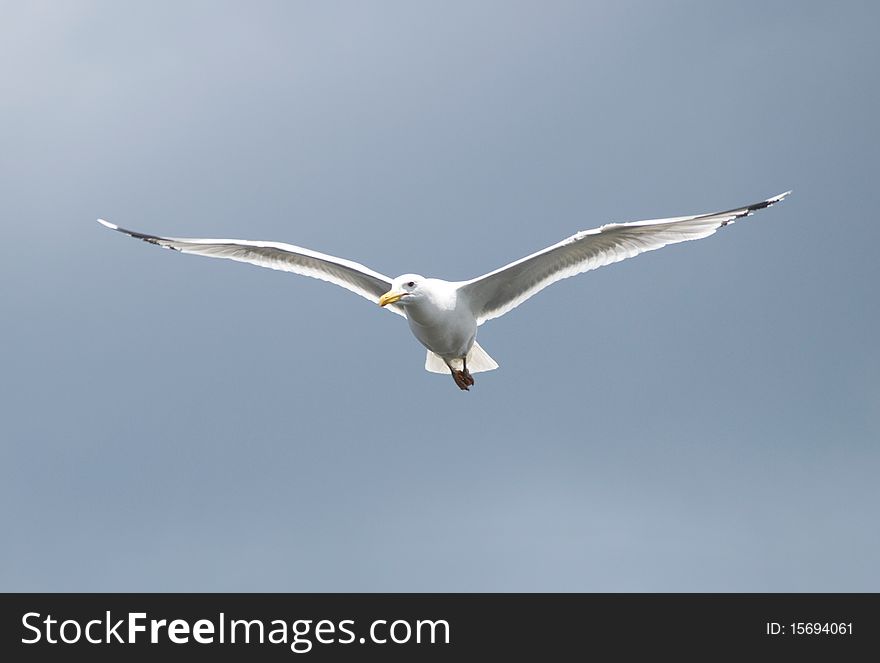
{"x": 496, "y": 293}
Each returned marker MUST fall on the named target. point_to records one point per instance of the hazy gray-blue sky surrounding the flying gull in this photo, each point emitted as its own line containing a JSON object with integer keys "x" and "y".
{"x": 705, "y": 417}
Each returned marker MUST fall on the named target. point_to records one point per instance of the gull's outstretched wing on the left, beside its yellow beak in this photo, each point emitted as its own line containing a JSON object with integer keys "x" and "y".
{"x": 277, "y": 255}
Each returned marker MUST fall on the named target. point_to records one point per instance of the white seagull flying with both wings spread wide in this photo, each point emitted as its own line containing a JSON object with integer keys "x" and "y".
{"x": 444, "y": 315}
